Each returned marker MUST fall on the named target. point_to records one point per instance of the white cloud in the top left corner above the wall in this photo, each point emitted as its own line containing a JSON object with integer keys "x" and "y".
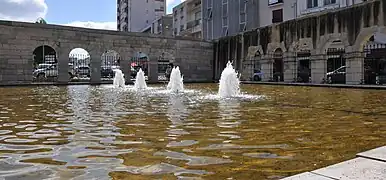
{"x": 22, "y": 10}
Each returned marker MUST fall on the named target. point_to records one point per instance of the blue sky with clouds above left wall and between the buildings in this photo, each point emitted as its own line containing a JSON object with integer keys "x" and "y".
{"x": 99, "y": 14}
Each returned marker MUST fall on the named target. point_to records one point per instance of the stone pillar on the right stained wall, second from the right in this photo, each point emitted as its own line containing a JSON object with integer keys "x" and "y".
{"x": 318, "y": 68}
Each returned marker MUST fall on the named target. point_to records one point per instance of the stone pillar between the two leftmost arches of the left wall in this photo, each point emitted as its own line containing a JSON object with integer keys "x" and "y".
{"x": 63, "y": 67}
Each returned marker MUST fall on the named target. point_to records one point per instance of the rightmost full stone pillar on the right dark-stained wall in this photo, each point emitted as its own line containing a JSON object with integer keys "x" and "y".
{"x": 354, "y": 67}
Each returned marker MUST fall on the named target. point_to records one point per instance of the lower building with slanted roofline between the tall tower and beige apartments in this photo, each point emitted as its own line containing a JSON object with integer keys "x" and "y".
{"x": 162, "y": 25}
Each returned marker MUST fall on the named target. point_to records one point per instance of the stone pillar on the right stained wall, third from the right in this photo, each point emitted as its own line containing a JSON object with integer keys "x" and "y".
{"x": 290, "y": 66}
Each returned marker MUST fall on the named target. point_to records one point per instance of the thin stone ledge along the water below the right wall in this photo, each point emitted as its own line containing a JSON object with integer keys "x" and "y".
{"x": 357, "y": 86}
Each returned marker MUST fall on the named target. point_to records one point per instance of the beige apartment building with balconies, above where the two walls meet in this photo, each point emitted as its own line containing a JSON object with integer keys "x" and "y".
{"x": 188, "y": 19}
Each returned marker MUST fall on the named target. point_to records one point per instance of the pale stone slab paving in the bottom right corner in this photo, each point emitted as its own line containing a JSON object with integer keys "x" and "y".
{"x": 369, "y": 165}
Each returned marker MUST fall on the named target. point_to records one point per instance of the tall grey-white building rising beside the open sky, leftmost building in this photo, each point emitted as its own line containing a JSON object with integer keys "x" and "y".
{"x": 134, "y": 15}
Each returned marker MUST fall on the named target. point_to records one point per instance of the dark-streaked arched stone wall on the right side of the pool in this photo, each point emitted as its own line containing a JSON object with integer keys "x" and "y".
{"x": 351, "y": 27}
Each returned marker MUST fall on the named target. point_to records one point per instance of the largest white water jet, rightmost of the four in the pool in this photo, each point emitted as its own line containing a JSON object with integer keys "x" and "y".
{"x": 229, "y": 82}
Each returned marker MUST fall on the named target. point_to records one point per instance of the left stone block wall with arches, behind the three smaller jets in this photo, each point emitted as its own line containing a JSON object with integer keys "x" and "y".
{"x": 18, "y": 41}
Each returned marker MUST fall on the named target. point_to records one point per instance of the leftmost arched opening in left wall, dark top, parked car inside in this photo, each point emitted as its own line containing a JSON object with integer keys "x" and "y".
{"x": 45, "y": 64}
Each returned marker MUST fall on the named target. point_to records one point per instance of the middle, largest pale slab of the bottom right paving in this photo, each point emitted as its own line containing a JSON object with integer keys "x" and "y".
{"x": 355, "y": 169}
